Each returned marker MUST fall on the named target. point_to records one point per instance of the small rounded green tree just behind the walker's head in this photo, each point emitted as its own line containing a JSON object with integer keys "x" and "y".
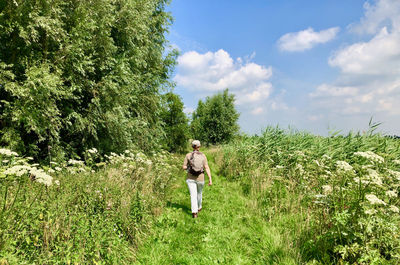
{"x": 215, "y": 120}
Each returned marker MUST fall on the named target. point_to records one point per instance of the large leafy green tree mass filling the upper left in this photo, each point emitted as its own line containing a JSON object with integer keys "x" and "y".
{"x": 79, "y": 74}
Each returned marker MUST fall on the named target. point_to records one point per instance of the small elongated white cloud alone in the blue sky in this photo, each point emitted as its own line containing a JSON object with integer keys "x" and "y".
{"x": 305, "y": 39}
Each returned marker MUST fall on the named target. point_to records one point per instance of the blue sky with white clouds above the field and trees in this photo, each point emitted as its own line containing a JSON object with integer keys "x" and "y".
{"x": 316, "y": 66}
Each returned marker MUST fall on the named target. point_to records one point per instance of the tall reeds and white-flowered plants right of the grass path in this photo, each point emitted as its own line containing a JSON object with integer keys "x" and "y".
{"x": 335, "y": 197}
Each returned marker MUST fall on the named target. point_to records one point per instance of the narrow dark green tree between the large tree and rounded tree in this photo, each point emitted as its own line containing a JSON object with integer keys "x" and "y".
{"x": 176, "y": 124}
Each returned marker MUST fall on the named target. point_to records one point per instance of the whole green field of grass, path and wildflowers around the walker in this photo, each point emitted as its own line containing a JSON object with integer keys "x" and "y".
{"x": 283, "y": 197}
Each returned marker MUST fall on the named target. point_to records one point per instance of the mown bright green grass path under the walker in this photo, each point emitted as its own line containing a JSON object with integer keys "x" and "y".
{"x": 227, "y": 231}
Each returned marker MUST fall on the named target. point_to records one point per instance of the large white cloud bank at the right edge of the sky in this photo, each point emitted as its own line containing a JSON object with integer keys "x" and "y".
{"x": 369, "y": 79}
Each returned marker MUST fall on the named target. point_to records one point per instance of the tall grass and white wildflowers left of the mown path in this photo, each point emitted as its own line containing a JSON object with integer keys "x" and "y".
{"x": 89, "y": 213}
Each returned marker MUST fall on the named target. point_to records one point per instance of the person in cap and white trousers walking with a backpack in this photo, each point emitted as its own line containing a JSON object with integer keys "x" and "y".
{"x": 195, "y": 163}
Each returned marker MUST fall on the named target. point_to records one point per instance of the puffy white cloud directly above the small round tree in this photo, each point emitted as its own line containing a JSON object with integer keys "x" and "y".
{"x": 216, "y": 71}
